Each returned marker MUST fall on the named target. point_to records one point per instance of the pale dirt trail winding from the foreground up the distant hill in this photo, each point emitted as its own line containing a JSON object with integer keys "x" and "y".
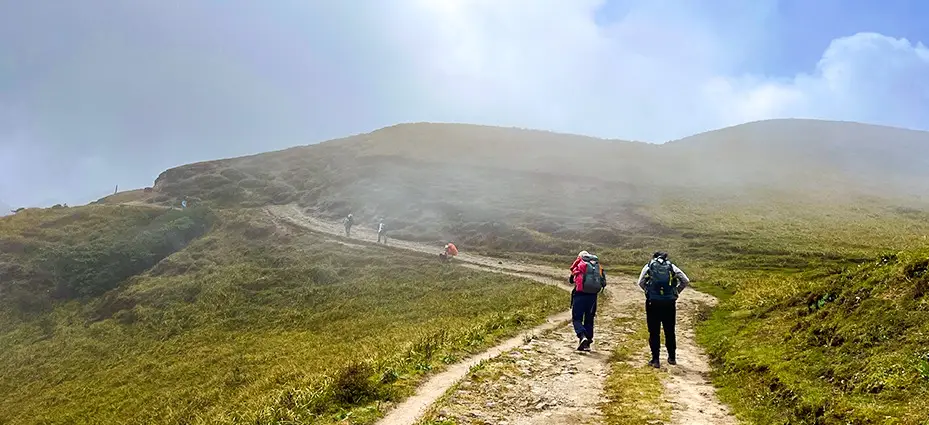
{"x": 539, "y": 378}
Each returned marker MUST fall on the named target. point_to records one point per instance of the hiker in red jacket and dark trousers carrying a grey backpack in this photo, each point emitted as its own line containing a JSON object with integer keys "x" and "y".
{"x": 589, "y": 280}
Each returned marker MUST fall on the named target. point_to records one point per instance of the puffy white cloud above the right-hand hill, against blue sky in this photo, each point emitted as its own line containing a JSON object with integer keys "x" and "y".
{"x": 864, "y": 77}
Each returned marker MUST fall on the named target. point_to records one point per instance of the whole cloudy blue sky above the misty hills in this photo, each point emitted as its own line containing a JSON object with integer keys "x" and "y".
{"x": 99, "y": 93}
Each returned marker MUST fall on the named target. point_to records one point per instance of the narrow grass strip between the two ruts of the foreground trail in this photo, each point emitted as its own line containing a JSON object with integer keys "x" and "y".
{"x": 633, "y": 390}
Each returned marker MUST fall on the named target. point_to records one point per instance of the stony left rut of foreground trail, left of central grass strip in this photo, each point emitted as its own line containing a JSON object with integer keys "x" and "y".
{"x": 545, "y": 380}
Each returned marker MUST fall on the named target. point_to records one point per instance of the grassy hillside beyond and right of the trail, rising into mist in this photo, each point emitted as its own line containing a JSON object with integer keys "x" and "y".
{"x": 771, "y": 215}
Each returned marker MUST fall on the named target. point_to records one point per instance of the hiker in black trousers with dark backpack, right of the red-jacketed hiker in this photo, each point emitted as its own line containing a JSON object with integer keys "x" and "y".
{"x": 662, "y": 282}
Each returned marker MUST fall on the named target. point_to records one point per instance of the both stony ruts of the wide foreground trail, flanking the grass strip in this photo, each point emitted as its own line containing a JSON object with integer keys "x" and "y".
{"x": 545, "y": 381}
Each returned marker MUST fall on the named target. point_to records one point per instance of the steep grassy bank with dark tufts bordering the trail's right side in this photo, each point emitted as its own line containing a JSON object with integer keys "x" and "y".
{"x": 833, "y": 345}
